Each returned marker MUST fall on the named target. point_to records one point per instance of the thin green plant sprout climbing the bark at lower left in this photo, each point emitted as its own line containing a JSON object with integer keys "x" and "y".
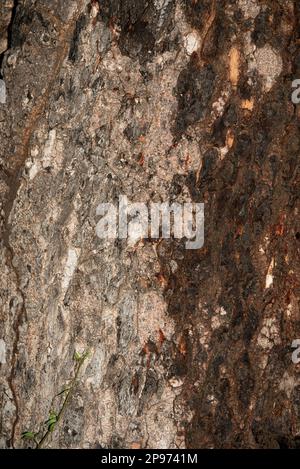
{"x": 39, "y": 438}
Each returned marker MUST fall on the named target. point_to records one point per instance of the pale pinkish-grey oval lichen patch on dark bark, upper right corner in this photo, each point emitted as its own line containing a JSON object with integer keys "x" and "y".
{"x": 269, "y": 65}
